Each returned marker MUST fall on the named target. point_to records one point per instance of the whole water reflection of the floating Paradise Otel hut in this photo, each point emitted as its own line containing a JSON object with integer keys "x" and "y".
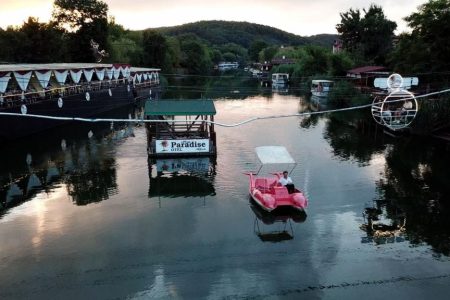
{"x": 182, "y": 177}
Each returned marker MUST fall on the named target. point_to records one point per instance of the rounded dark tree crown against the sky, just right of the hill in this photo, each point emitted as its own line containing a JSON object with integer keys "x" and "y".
{"x": 370, "y": 35}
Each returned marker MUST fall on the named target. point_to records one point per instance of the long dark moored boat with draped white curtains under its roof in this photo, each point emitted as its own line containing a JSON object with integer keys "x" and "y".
{"x": 66, "y": 90}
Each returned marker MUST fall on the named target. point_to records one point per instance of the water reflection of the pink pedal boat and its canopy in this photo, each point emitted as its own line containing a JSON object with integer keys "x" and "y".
{"x": 275, "y": 226}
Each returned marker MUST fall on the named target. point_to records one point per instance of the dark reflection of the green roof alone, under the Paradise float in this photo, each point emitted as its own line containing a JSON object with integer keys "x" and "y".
{"x": 180, "y": 186}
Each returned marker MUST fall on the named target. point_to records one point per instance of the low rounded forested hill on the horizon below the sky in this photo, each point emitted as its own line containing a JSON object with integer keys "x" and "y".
{"x": 241, "y": 33}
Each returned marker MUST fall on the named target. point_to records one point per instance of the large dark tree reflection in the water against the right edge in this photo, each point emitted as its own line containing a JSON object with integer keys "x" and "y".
{"x": 416, "y": 178}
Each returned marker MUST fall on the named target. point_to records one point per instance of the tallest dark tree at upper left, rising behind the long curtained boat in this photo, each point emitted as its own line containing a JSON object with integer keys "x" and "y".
{"x": 85, "y": 20}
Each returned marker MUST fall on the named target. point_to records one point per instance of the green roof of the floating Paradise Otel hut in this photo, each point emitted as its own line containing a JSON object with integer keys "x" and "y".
{"x": 180, "y": 107}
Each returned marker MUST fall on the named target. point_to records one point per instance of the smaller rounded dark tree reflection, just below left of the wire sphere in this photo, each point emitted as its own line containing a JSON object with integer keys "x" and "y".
{"x": 343, "y": 132}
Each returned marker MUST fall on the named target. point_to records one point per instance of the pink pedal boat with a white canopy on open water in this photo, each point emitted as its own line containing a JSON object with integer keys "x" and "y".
{"x": 267, "y": 192}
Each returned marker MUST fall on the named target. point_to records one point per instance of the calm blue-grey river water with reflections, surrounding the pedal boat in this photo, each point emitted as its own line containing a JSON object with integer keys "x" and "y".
{"x": 85, "y": 215}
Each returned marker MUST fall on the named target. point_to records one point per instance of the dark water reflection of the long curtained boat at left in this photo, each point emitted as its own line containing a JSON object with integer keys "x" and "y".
{"x": 78, "y": 155}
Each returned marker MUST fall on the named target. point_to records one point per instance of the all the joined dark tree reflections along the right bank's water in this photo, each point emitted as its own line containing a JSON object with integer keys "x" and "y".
{"x": 414, "y": 182}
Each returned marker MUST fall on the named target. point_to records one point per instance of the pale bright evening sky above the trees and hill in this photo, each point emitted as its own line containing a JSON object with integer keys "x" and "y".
{"x": 302, "y": 17}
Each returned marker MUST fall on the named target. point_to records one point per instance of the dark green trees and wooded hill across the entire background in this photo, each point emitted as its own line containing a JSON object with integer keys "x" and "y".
{"x": 365, "y": 37}
